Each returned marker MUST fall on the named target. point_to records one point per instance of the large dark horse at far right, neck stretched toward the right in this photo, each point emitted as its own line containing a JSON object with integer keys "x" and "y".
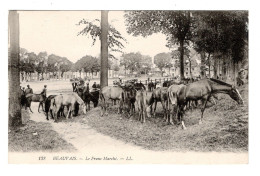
{"x": 203, "y": 90}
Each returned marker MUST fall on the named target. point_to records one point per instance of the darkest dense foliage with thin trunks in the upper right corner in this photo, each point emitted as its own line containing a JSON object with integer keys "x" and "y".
{"x": 222, "y": 34}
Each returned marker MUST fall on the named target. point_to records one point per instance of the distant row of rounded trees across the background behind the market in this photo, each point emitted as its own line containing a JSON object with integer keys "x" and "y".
{"x": 44, "y": 63}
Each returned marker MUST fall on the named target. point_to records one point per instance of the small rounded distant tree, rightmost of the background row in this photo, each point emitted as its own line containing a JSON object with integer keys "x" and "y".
{"x": 163, "y": 60}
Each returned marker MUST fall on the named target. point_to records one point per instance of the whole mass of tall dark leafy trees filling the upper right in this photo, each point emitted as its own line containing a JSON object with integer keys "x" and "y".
{"x": 221, "y": 36}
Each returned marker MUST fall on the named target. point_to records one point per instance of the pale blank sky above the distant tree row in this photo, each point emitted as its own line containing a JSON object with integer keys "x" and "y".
{"x": 56, "y": 33}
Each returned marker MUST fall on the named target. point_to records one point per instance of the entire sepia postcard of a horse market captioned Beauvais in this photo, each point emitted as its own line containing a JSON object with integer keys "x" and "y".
{"x": 128, "y": 86}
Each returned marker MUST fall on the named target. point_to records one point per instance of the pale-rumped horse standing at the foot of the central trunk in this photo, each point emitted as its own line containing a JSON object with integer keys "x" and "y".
{"x": 113, "y": 93}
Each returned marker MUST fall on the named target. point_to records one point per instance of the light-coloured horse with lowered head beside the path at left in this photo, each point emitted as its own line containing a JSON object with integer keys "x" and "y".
{"x": 68, "y": 100}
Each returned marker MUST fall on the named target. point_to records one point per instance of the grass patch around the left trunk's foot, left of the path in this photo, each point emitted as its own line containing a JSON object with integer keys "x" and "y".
{"x": 36, "y": 137}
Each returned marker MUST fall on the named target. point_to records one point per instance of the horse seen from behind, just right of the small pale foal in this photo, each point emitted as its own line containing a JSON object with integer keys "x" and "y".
{"x": 160, "y": 94}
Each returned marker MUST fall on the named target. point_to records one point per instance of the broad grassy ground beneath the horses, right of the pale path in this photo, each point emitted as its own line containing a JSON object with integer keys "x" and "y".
{"x": 224, "y": 128}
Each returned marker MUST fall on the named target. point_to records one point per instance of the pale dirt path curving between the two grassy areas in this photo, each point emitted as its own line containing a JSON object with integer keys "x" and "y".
{"x": 81, "y": 135}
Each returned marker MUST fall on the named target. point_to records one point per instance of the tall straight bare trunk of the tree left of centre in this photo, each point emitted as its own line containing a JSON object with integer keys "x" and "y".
{"x": 104, "y": 49}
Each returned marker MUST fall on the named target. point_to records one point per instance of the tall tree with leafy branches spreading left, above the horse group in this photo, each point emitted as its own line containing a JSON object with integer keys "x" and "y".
{"x": 176, "y": 25}
